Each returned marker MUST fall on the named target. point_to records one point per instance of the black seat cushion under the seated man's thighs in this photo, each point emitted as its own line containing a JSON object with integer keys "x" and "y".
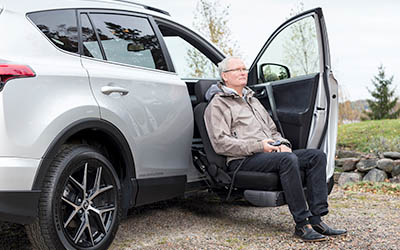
{"x": 259, "y": 181}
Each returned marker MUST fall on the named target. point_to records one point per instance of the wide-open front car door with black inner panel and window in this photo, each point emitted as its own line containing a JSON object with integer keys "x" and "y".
{"x": 292, "y": 78}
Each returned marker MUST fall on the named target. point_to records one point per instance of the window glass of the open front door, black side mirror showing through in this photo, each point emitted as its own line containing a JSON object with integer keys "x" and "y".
{"x": 293, "y": 52}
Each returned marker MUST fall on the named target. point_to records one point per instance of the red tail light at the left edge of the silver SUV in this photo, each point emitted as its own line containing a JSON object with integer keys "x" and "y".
{"x": 11, "y": 71}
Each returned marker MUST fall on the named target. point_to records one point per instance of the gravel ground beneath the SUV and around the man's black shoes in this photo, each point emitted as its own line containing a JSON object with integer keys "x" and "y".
{"x": 202, "y": 222}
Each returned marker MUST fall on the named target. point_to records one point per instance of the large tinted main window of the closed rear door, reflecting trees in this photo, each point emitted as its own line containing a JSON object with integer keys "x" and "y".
{"x": 129, "y": 40}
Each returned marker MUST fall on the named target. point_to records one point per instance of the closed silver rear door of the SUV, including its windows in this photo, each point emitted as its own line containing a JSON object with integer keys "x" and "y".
{"x": 135, "y": 91}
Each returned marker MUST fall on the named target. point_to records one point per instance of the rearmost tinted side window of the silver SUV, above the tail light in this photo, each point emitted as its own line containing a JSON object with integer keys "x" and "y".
{"x": 60, "y": 26}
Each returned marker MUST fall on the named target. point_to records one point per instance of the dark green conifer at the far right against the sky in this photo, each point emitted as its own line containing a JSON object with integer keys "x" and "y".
{"x": 384, "y": 102}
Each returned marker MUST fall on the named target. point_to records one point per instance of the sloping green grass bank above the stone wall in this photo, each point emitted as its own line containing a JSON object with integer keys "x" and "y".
{"x": 370, "y": 136}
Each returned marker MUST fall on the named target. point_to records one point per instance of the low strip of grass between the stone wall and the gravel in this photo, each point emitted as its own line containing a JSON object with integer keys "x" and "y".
{"x": 373, "y": 187}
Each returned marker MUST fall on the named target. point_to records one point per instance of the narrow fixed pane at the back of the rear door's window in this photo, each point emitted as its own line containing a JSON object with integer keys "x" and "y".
{"x": 91, "y": 46}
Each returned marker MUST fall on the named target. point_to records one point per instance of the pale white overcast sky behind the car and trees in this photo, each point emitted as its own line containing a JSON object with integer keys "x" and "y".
{"x": 362, "y": 34}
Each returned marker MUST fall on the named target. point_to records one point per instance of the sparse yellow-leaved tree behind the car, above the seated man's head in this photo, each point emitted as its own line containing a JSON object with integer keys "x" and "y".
{"x": 211, "y": 20}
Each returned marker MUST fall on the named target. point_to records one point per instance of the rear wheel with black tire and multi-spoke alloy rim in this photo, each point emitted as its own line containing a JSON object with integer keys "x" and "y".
{"x": 79, "y": 207}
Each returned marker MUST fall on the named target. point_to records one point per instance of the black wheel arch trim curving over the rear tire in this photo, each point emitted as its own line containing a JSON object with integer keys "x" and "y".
{"x": 100, "y": 134}
